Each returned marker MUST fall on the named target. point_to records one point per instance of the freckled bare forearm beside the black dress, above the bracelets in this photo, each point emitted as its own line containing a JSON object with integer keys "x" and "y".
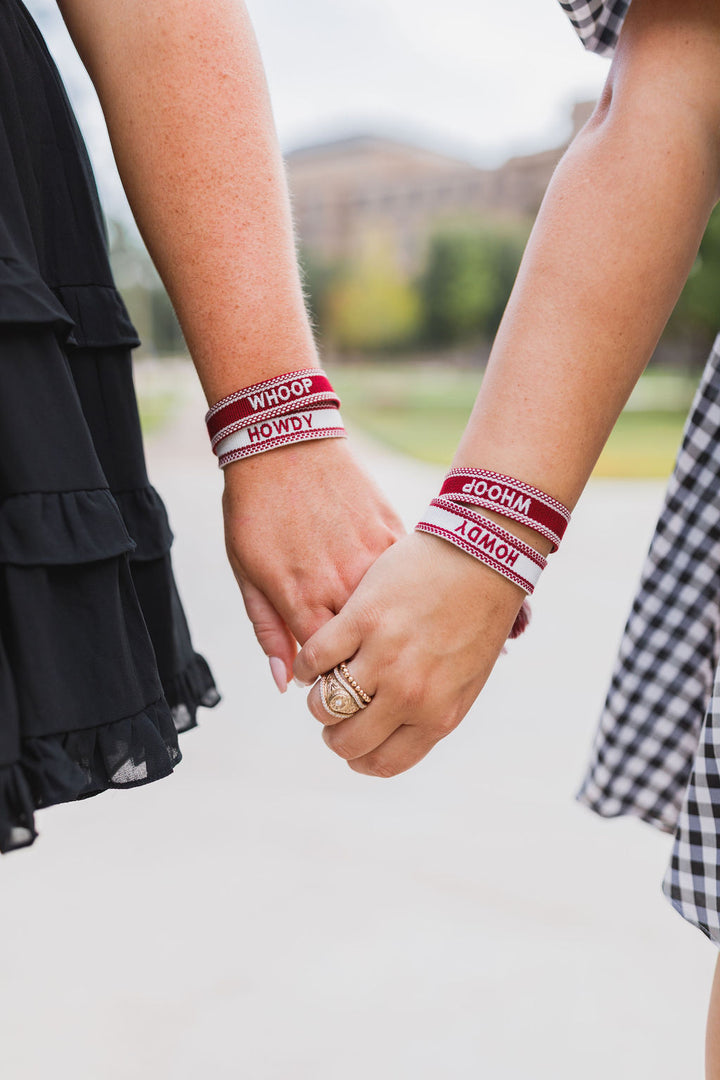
{"x": 184, "y": 93}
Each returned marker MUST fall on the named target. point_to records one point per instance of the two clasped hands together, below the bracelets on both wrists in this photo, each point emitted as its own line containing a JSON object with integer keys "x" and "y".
{"x": 321, "y": 560}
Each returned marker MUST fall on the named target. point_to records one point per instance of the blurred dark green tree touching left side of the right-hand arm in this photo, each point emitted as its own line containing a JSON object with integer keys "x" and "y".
{"x": 468, "y": 281}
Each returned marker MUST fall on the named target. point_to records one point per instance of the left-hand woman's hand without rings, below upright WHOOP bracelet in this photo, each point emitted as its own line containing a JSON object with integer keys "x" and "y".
{"x": 303, "y": 525}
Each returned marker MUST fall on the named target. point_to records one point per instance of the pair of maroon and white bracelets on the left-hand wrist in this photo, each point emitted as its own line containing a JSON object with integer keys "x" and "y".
{"x": 289, "y": 409}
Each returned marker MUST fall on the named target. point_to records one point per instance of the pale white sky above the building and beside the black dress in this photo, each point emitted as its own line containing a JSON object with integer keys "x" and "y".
{"x": 481, "y": 79}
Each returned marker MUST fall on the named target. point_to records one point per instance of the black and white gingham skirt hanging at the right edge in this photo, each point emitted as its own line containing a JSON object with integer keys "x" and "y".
{"x": 657, "y": 752}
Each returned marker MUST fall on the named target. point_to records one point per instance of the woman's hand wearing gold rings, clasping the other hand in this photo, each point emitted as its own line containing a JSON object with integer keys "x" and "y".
{"x": 422, "y": 634}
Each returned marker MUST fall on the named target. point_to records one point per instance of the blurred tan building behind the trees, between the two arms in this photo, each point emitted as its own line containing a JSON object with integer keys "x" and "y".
{"x": 356, "y": 193}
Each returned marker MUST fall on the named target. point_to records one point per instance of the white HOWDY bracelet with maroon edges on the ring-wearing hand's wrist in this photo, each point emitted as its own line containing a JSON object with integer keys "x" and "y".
{"x": 486, "y": 542}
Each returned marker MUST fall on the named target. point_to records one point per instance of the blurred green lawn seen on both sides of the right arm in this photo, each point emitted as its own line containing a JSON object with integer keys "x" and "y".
{"x": 422, "y": 411}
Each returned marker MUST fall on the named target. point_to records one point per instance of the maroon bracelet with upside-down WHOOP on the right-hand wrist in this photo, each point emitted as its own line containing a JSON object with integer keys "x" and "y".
{"x": 512, "y": 498}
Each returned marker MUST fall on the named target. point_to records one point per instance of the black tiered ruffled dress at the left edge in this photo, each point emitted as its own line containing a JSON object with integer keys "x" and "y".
{"x": 98, "y": 672}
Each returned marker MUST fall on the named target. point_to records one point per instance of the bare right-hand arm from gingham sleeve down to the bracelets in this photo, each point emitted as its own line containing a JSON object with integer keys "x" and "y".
{"x": 613, "y": 247}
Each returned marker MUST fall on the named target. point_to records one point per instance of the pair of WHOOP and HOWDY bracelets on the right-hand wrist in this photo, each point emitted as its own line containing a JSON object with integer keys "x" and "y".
{"x": 487, "y": 542}
